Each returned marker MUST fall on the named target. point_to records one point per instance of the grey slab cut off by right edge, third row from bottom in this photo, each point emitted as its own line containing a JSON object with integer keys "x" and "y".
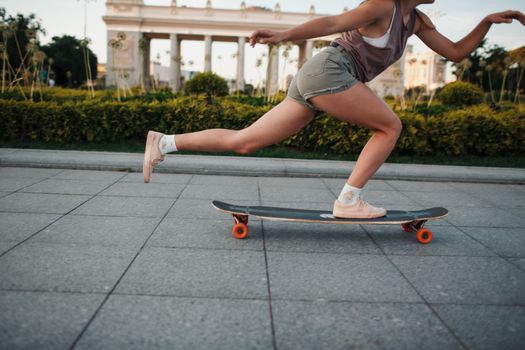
{"x": 506, "y": 242}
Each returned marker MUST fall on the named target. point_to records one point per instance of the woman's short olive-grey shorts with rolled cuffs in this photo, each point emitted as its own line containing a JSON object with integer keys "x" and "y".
{"x": 331, "y": 70}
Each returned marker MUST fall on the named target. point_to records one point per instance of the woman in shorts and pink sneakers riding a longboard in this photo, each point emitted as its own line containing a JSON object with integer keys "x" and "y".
{"x": 374, "y": 36}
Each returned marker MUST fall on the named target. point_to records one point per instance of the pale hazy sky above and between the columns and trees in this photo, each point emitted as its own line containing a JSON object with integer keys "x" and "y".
{"x": 453, "y": 18}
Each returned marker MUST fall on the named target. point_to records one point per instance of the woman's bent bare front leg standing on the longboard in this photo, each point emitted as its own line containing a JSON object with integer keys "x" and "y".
{"x": 359, "y": 105}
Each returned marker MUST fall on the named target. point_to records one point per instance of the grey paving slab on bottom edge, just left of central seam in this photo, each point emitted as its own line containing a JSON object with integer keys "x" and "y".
{"x": 146, "y": 322}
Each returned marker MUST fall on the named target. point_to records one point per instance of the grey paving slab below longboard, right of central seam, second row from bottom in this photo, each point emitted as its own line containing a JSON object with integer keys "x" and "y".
{"x": 310, "y": 276}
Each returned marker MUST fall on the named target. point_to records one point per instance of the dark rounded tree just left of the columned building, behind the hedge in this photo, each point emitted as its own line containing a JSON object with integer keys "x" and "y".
{"x": 68, "y": 60}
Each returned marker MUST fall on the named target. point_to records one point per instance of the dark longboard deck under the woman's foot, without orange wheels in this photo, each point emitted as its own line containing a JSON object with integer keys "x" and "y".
{"x": 305, "y": 215}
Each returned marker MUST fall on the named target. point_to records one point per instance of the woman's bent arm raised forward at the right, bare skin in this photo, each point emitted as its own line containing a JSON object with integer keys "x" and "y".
{"x": 456, "y": 51}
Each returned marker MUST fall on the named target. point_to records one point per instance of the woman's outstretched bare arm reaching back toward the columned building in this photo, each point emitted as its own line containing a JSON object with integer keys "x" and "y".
{"x": 361, "y": 16}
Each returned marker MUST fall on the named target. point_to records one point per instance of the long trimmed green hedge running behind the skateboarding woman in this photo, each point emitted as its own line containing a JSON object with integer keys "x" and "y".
{"x": 477, "y": 130}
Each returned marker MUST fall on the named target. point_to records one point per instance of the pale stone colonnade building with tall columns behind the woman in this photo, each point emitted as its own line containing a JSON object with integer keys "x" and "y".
{"x": 131, "y": 25}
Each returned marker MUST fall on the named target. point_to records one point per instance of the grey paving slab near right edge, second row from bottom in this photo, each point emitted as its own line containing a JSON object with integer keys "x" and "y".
{"x": 466, "y": 280}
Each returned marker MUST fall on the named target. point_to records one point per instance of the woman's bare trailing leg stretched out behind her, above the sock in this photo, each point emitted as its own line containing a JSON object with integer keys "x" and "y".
{"x": 282, "y": 121}
